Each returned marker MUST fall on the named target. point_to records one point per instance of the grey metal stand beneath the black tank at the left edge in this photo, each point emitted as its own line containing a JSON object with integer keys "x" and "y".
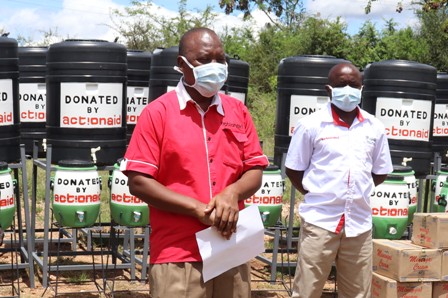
{"x": 22, "y": 247}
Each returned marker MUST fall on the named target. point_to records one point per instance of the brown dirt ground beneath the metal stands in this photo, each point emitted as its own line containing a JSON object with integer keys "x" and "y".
{"x": 107, "y": 281}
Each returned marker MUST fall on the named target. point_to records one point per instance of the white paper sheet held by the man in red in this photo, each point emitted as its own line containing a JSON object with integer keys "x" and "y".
{"x": 219, "y": 254}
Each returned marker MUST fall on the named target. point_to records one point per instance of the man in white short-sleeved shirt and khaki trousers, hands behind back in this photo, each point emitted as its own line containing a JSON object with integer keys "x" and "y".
{"x": 336, "y": 157}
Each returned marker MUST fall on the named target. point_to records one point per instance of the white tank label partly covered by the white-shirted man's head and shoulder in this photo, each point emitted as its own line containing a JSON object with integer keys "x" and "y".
{"x": 303, "y": 105}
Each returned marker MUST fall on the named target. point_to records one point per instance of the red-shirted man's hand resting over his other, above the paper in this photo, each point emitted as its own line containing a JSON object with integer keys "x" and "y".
{"x": 226, "y": 210}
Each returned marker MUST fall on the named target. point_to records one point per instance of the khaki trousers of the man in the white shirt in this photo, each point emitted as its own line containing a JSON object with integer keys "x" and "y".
{"x": 319, "y": 249}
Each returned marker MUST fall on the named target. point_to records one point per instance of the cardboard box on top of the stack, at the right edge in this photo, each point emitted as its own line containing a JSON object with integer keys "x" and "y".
{"x": 430, "y": 230}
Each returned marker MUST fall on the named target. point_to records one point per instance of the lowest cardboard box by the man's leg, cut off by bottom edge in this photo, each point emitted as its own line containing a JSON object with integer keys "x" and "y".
{"x": 384, "y": 287}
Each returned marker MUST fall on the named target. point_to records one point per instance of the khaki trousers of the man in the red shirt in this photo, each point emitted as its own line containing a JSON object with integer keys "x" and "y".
{"x": 184, "y": 280}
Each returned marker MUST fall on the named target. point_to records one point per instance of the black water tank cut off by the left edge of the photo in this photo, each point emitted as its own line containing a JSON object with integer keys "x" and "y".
{"x": 9, "y": 100}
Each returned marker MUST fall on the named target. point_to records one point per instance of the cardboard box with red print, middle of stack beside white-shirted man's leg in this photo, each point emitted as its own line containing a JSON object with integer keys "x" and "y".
{"x": 406, "y": 262}
